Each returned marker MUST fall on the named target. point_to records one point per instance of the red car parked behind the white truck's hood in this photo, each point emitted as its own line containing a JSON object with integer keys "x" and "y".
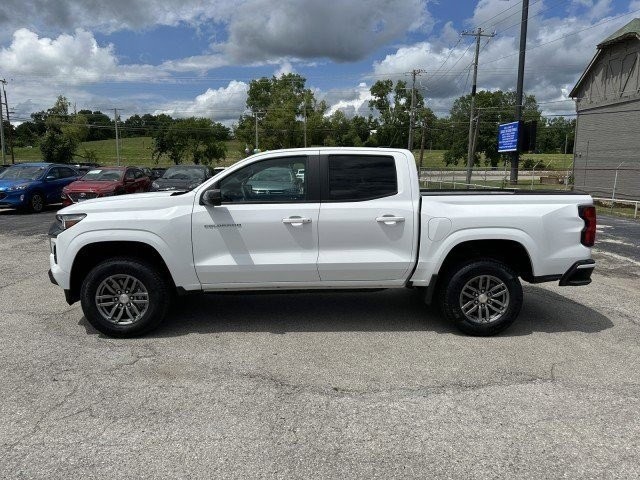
{"x": 104, "y": 182}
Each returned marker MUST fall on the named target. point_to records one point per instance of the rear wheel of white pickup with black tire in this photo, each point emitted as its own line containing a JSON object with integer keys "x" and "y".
{"x": 464, "y": 276}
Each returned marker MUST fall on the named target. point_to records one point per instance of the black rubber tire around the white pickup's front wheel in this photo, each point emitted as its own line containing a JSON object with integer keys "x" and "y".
{"x": 157, "y": 286}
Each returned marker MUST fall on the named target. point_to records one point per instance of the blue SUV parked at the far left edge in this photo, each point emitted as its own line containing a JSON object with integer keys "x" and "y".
{"x": 31, "y": 186}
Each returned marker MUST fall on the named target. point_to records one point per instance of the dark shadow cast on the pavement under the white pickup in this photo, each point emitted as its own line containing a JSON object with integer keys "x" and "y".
{"x": 391, "y": 310}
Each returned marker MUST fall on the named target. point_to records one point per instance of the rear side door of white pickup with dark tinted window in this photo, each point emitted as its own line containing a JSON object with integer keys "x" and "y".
{"x": 366, "y": 225}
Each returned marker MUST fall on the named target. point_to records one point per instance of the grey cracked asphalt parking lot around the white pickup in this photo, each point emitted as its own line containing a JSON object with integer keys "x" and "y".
{"x": 347, "y": 385}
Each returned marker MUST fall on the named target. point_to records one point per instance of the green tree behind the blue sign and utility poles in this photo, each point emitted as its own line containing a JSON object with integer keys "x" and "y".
{"x": 492, "y": 108}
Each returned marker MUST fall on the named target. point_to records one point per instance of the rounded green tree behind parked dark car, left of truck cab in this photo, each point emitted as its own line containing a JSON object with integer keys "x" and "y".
{"x": 199, "y": 139}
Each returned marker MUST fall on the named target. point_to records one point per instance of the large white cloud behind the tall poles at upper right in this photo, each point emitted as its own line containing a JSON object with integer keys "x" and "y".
{"x": 553, "y": 64}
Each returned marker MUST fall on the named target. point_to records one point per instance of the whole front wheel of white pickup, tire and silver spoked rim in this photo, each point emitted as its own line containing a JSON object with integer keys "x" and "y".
{"x": 125, "y": 297}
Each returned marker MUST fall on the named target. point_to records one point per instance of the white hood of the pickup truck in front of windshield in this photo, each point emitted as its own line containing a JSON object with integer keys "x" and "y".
{"x": 133, "y": 202}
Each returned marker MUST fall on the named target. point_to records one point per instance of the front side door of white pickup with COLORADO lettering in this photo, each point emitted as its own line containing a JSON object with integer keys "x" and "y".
{"x": 266, "y": 230}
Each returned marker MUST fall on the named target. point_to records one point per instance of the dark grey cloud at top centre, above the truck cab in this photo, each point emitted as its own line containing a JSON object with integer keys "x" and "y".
{"x": 342, "y": 31}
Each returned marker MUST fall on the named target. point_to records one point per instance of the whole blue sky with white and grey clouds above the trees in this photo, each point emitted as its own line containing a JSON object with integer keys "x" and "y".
{"x": 195, "y": 57}
